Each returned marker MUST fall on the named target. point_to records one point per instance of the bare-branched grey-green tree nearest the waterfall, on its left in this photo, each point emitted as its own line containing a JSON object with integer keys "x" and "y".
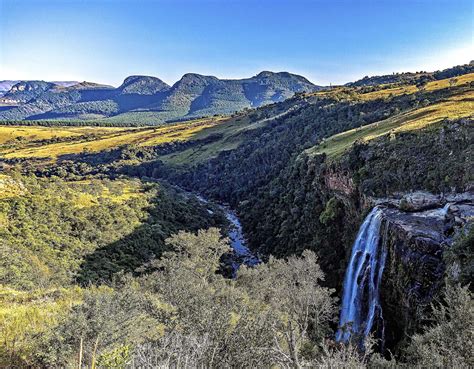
{"x": 302, "y": 308}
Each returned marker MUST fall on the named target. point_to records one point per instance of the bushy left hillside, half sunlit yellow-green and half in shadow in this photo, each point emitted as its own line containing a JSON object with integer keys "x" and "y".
{"x": 57, "y": 230}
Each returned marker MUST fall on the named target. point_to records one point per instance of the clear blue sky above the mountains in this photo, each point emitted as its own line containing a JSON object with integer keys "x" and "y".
{"x": 328, "y": 41}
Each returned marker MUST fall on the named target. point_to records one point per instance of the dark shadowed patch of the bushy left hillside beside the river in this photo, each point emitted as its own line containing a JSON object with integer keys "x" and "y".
{"x": 170, "y": 212}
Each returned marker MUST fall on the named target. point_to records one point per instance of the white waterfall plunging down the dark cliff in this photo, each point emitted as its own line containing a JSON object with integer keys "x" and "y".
{"x": 360, "y": 302}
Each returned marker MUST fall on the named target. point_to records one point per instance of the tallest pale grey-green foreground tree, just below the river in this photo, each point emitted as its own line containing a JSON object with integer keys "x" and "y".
{"x": 213, "y": 324}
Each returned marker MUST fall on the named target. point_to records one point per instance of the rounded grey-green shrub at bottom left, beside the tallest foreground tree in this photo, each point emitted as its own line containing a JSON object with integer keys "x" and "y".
{"x": 102, "y": 326}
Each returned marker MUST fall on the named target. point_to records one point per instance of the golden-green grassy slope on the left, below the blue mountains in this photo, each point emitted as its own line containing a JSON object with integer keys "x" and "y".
{"x": 102, "y": 138}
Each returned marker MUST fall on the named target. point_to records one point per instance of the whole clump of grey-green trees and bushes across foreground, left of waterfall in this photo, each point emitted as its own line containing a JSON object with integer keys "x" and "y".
{"x": 185, "y": 312}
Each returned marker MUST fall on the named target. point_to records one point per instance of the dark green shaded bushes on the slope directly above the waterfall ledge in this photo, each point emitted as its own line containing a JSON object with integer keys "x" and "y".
{"x": 436, "y": 159}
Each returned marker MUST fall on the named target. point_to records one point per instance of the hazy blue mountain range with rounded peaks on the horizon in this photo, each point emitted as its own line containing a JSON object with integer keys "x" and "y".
{"x": 149, "y": 99}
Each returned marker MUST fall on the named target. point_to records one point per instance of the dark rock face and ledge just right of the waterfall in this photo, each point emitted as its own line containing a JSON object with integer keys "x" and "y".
{"x": 414, "y": 269}
